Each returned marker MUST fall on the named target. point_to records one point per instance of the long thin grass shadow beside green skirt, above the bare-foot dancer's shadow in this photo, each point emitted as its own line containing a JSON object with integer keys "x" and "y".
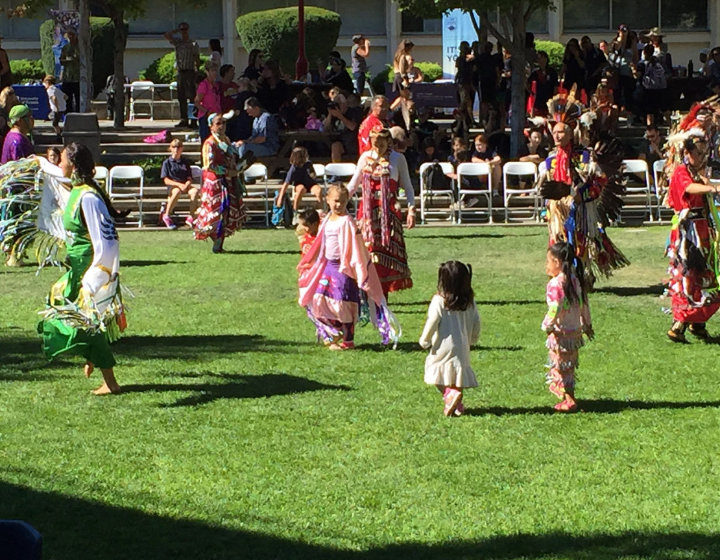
{"x": 189, "y": 346}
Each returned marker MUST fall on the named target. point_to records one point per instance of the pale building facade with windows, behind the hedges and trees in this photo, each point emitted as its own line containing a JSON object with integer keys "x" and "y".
{"x": 688, "y": 25}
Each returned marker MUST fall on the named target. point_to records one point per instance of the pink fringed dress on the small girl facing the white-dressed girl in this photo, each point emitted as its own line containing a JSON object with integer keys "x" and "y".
{"x": 564, "y": 324}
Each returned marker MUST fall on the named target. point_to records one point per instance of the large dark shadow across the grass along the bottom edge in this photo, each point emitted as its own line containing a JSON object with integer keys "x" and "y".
{"x": 80, "y": 529}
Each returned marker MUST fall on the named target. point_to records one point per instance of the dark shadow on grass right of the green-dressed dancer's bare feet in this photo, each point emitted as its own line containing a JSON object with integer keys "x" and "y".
{"x": 235, "y": 386}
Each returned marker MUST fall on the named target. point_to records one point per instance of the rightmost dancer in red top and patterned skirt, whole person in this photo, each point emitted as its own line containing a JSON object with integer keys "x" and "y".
{"x": 693, "y": 284}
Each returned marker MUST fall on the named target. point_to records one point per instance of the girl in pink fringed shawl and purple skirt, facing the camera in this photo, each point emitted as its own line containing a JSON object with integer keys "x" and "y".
{"x": 337, "y": 275}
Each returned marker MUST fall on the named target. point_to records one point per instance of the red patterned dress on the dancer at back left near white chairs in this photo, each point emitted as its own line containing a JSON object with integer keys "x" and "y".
{"x": 221, "y": 210}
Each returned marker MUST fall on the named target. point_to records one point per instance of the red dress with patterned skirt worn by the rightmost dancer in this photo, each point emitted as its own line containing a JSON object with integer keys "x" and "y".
{"x": 692, "y": 251}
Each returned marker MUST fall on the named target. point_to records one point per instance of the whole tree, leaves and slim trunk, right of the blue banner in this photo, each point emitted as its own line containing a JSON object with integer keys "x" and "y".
{"x": 509, "y": 31}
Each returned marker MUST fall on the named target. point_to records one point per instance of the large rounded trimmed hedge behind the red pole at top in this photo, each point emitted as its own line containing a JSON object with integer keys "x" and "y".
{"x": 275, "y": 33}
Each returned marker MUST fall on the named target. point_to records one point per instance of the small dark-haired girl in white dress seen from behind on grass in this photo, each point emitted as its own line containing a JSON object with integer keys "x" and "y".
{"x": 452, "y": 326}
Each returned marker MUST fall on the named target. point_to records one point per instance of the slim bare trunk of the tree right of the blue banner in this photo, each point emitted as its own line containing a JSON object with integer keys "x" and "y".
{"x": 518, "y": 79}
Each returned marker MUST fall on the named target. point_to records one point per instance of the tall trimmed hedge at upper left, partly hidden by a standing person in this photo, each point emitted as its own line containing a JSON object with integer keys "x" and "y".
{"x": 102, "y": 42}
